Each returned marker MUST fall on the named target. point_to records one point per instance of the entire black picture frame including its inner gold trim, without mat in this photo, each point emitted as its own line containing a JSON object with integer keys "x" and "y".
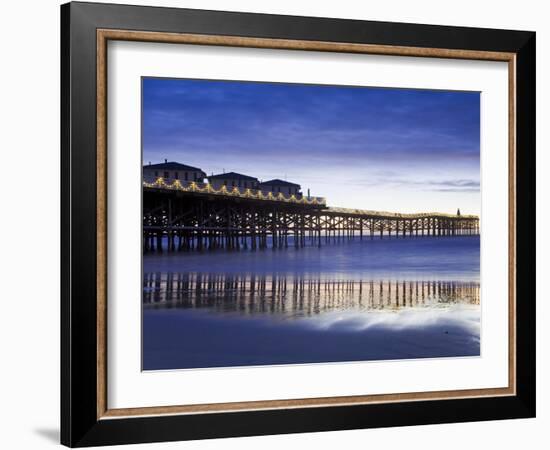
{"x": 86, "y": 28}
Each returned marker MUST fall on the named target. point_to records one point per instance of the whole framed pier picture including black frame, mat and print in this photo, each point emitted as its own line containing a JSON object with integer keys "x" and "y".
{"x": 276, "y": 224}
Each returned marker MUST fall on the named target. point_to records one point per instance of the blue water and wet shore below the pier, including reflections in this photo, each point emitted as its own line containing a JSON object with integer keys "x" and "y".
{"x": 356, "y": 300}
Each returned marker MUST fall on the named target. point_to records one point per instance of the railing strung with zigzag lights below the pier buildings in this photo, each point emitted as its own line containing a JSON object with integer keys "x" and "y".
{"x": 255, "y": 194}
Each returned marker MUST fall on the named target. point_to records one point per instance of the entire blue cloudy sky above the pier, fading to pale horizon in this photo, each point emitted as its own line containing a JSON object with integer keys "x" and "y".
{"x": 388, "y": 149}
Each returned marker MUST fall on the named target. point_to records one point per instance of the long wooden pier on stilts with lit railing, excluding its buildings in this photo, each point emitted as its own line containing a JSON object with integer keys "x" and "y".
{"x": 194, "y": 217}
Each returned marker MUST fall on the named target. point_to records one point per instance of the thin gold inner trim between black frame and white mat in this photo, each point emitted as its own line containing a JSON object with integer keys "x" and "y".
{"x": 103, "y": 36}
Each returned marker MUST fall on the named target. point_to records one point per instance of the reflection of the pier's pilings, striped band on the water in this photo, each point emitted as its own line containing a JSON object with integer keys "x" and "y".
{"x": 250, "y": 294}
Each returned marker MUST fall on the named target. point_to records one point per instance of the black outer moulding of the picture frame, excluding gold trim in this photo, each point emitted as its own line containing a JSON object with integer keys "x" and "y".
{"x": 79, "y": 423}
